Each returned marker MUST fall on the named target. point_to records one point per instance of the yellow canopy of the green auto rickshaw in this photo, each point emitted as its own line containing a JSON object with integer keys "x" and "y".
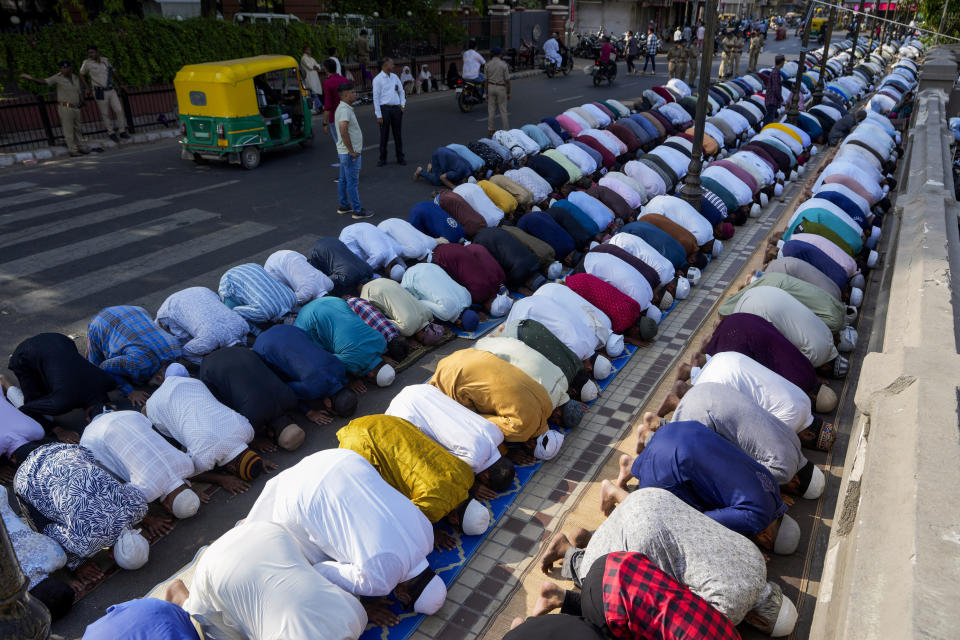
{"x": 225, "y": 89}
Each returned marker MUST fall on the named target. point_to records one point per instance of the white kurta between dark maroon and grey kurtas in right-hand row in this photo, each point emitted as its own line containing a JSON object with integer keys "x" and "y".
{"x": 784, "y": 400}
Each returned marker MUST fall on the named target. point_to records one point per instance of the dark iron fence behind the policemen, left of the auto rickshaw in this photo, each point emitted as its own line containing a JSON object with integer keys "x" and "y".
{"x": 32, "y": 122}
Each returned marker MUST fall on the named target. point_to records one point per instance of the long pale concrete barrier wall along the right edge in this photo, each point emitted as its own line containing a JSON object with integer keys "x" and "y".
{"x": 892, "y": 566}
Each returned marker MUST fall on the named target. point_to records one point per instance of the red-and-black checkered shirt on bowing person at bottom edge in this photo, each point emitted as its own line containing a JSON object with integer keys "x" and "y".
{"x": 644, "y": 603}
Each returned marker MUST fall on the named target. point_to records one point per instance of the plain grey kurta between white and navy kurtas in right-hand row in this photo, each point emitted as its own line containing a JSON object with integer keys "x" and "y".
{"x": 739, "y": 419}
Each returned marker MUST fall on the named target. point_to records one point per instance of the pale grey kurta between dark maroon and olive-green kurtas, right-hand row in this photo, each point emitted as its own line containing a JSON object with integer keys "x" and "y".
{"x": 798, "y": 324}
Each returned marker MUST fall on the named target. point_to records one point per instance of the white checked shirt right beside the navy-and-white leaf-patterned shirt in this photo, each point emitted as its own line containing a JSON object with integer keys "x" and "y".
{"x": 125, "y": 443}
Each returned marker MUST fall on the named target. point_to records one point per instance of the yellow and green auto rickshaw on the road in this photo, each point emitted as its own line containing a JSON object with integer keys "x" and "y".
{"x": 235, "y": 109}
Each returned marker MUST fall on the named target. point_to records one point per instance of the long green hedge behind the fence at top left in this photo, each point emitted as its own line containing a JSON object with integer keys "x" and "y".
{"x": 151, "y": 51}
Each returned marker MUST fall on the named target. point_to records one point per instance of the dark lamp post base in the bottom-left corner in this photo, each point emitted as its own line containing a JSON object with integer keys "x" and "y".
{"x": 22, "y": 617}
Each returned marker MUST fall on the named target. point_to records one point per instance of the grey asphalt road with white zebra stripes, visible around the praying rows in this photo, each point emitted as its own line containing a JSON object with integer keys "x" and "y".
{"x": 133, "y": 226}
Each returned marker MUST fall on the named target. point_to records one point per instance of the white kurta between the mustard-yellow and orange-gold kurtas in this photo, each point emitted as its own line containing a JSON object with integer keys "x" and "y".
{"x": 466, "y": 435}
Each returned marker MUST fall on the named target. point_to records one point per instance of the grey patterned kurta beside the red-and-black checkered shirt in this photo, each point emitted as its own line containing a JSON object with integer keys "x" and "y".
{"x": 721, "y": 566}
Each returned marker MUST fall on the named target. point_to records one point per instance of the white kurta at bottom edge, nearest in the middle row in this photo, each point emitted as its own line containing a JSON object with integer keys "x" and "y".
{"x": 259, "y": 582}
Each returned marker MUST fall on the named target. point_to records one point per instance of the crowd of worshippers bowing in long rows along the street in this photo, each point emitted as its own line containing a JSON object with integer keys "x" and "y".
{"x": 305, "y": 334}
